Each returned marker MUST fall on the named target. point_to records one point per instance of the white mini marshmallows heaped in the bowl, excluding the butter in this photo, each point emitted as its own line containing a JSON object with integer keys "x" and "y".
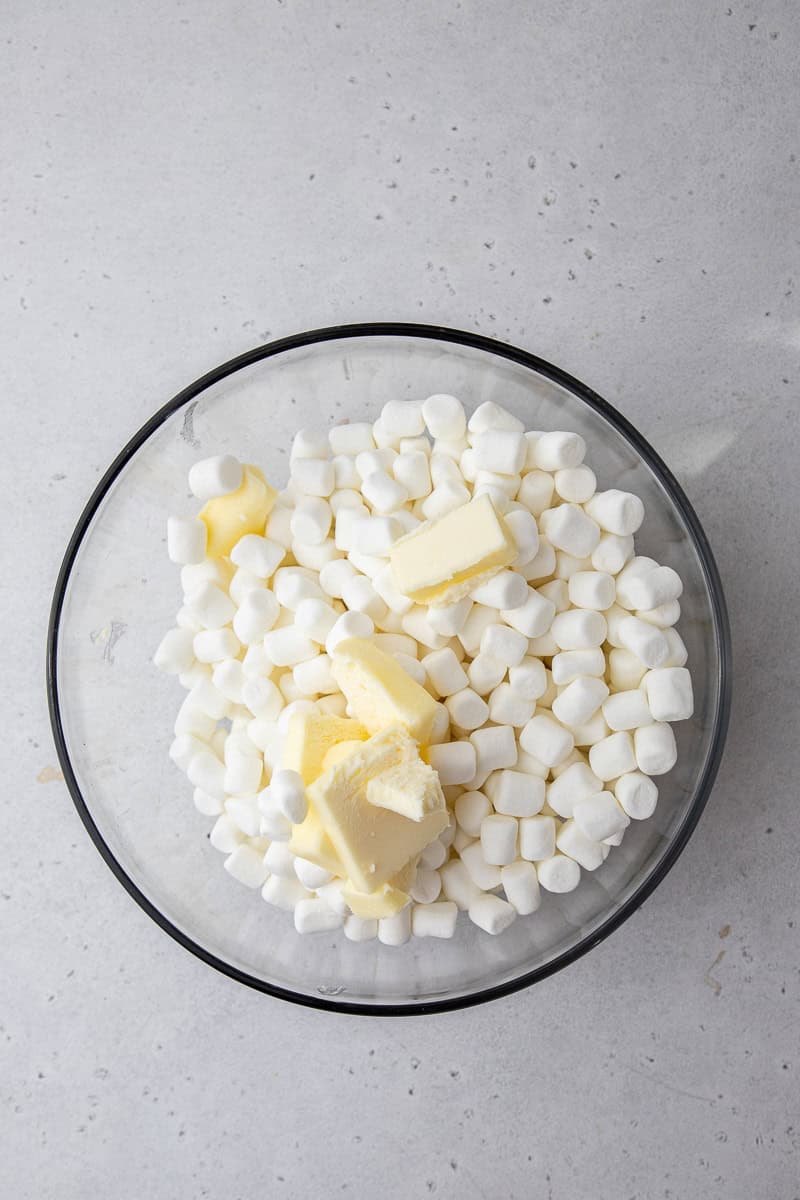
{"x": 556, "y": 679}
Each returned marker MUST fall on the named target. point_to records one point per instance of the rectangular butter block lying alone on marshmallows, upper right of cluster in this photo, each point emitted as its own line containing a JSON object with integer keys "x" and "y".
{"x": 444, "y": 560}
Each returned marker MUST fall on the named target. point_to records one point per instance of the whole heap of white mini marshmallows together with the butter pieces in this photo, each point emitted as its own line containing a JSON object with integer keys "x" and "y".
{"x": 429, "y": 676}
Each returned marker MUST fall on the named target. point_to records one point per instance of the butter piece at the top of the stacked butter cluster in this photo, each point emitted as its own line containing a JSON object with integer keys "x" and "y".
{"x": 380, "y": 693}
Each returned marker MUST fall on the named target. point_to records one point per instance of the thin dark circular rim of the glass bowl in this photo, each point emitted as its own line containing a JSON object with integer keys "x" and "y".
{"x": 719, "y": 611}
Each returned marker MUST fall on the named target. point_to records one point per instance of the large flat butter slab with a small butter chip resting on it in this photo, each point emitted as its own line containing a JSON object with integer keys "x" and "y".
{"x": 372, "y": 844}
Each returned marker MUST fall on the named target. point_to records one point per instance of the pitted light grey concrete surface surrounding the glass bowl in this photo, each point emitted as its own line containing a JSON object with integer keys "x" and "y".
{"x": 612, "y": 185}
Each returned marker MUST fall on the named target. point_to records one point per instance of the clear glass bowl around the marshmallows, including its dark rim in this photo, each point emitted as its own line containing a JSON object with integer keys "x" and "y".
{"x": 113, "y": 713}
